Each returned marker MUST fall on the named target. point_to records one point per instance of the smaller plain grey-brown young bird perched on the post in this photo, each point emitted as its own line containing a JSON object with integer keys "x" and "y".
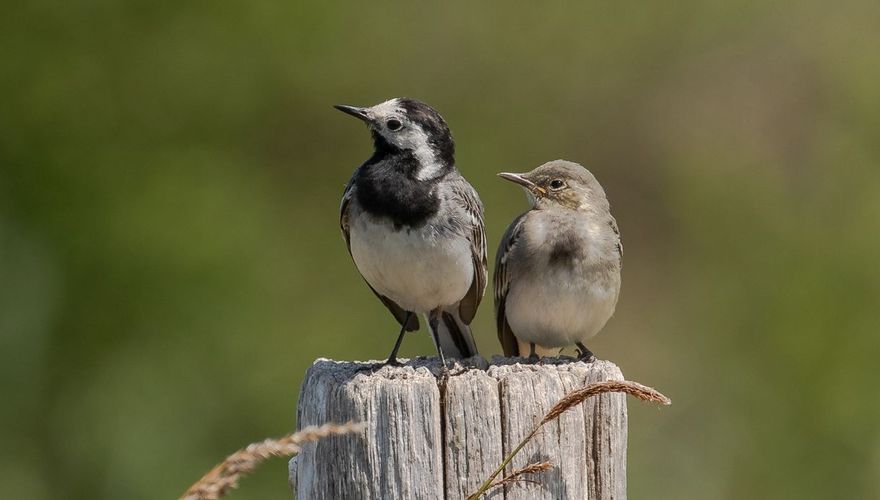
{"x": 557, "y": 270}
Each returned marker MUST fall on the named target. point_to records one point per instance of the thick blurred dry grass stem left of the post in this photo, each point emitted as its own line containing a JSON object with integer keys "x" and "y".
{"x": 225, "y": 475}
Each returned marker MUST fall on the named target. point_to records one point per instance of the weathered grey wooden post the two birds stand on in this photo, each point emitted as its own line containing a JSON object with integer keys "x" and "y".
{"x": 424, "y": 440}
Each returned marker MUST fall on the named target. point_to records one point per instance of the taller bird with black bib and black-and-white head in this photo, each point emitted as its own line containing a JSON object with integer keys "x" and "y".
{"x": 414, "y": 226}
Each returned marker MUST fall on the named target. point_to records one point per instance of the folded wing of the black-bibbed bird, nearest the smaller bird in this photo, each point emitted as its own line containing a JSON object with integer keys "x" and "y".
{"x": 476, "y": 234}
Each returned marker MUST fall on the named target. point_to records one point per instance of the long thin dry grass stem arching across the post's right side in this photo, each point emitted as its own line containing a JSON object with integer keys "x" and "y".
{"x": 567, "y": 402}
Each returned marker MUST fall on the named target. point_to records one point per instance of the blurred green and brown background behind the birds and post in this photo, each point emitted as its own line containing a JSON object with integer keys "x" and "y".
{"x": 170, "y": 258}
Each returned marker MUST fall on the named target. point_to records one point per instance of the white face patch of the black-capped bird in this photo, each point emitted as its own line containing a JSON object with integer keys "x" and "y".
{"x": 410, "y": 138}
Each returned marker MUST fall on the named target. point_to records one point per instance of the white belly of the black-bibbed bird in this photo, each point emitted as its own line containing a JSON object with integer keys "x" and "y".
{"x": 419, "y": 269}
